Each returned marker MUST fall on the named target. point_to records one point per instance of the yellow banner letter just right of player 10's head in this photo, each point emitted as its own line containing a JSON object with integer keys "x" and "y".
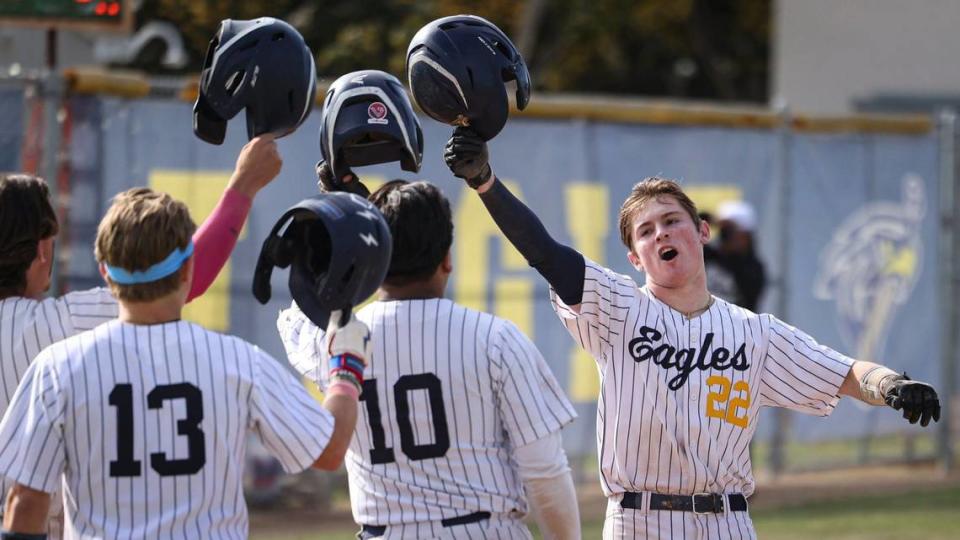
{"x": 474, "y": 228}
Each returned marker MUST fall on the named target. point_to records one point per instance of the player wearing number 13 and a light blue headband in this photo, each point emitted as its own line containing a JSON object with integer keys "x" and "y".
{"x": 145, "y": 417}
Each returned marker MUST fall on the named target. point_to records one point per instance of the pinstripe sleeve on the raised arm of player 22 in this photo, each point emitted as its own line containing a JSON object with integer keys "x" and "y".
{"x": 604, "y": 292}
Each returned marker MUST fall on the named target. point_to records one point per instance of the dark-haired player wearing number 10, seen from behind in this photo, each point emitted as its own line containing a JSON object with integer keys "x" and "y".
{"x": 462, "y": 415}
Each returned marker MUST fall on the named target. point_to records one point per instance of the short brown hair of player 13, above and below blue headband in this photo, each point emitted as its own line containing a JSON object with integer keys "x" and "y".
{"x": 141, "y": 228}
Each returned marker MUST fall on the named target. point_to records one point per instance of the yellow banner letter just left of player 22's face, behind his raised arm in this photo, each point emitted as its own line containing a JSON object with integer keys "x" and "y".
{"x": 588, "y": 225}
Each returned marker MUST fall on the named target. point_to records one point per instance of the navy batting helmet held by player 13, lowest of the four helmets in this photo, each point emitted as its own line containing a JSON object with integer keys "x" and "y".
{"x": 338, "y": 248}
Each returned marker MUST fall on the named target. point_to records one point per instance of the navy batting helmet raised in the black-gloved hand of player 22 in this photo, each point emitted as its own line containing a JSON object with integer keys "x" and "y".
{"x": 457, "y": 67}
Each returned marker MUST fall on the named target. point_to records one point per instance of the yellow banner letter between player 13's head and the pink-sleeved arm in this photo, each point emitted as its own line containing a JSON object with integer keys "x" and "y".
{"x": 200, "y": 191}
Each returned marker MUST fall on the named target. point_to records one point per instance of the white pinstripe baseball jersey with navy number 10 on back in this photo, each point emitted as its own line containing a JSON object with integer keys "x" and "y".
{"x": 448, "y": 393}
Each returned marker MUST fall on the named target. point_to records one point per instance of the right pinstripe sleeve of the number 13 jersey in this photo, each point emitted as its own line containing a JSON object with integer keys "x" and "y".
{"x": 290, "y": 423}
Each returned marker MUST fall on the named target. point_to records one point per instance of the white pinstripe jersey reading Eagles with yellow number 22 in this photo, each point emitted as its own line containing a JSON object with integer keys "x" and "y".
{"x": 680, "y": 397}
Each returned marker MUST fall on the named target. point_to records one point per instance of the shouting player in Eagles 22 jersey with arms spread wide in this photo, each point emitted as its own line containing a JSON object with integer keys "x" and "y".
{"x": 684, "y": 374}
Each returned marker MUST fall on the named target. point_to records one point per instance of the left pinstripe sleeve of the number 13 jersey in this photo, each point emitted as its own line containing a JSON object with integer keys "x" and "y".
{"x": 31, "y": 433}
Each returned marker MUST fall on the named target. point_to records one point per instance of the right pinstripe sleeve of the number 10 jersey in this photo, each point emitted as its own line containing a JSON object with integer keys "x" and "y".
{"x": 531, "y": 402}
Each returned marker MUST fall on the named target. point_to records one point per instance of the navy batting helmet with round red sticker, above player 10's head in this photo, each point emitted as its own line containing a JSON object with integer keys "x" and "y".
{"x": 368, "y": 119}
